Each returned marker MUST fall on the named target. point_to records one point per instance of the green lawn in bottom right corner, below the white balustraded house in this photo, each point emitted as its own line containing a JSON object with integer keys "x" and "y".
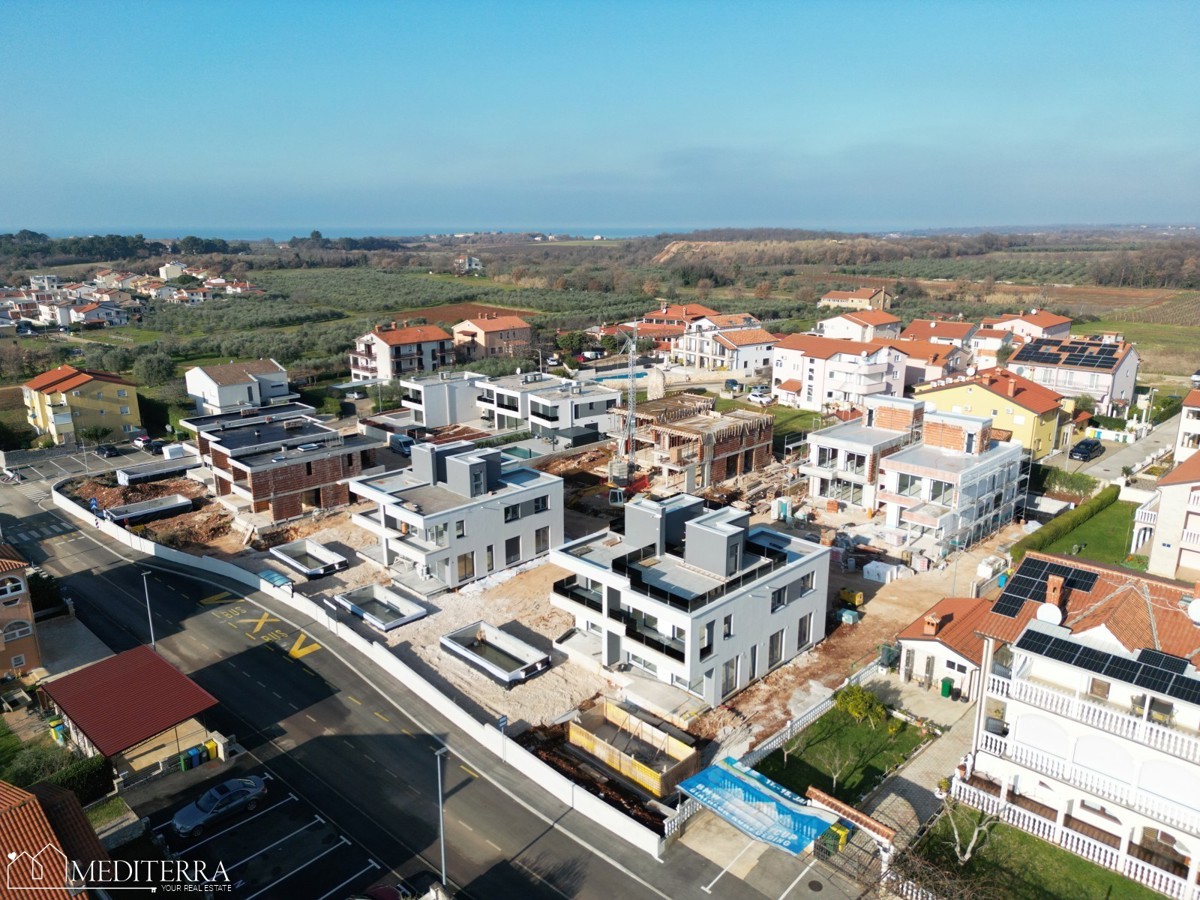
{"x": 1019, "y": 867}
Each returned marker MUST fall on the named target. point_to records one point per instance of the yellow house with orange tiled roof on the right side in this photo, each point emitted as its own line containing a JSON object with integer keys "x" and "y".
{"x": 1033, "y": 412}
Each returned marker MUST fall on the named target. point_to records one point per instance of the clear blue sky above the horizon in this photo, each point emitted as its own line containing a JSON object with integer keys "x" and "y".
{"x": 257, "y": 118}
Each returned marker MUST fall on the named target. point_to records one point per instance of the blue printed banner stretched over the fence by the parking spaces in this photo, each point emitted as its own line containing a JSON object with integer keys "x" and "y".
{"x": 759, "y": 807}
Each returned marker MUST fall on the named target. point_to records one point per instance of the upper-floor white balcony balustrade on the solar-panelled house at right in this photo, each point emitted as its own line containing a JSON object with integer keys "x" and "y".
{"x": 1100, "y": 716}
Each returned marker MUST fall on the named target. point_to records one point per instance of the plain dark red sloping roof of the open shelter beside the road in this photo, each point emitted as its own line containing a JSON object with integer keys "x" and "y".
{"x": 128, "y": 699}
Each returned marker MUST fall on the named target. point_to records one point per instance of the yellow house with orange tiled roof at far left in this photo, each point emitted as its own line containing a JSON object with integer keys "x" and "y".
{"x": 67, "y": 401}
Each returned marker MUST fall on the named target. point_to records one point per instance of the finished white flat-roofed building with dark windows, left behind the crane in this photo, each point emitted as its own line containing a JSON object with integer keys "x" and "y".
{"x": 545, "y": 404}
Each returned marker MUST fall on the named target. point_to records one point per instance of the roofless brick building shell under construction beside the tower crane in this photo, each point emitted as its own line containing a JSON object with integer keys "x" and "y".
{"x": 682, "y": 445}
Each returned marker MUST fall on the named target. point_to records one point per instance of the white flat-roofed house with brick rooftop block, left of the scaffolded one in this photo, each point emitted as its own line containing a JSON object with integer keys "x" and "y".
{"x": 844, "y": 460}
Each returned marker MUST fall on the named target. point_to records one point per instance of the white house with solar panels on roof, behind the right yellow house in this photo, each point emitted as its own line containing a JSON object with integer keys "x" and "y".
{"x": 1106, "y": 371}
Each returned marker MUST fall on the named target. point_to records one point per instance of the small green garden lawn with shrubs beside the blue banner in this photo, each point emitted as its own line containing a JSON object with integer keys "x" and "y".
{"x": 837, "y": 742}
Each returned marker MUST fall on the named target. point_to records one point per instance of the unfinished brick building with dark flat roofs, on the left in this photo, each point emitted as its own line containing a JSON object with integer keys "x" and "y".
{"x": 277, "y": 464}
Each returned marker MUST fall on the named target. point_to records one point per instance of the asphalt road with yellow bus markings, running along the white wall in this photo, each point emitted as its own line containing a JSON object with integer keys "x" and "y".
{"x": 352, "y": 742}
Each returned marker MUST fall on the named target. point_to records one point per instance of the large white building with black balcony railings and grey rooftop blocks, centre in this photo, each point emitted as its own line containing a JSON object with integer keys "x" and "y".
{"x": 699, "y": 599}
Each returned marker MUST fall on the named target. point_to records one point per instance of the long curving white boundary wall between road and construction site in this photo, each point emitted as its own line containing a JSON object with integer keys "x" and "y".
{"x": 484, "y": 734}
